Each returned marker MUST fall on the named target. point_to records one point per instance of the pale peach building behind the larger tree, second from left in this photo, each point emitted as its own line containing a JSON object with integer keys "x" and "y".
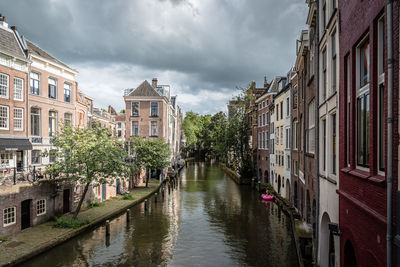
{"x": 51, "y": 102}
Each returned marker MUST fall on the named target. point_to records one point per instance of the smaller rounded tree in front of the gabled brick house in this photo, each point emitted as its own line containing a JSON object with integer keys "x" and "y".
{"x": 152, "y": 154}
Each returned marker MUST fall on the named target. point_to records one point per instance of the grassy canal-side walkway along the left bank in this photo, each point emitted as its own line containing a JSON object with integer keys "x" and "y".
{"x": 35, "y": 240}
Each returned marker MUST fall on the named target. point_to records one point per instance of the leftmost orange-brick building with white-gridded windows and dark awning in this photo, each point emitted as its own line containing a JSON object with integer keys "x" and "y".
{"x": 14, "y": 67}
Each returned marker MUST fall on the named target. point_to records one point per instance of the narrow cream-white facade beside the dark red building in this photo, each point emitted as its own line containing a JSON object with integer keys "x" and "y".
{"x": 328, "y": 115}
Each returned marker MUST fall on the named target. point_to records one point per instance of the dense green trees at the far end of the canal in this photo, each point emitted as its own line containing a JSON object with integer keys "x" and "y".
{"x": 225, "y": 138}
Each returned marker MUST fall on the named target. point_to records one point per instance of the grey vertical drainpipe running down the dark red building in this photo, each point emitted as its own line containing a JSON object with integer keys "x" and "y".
{"x": 389, "y": 174}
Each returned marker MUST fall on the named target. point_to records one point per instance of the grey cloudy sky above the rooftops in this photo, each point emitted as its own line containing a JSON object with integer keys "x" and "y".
{"x": 204, "y": 49}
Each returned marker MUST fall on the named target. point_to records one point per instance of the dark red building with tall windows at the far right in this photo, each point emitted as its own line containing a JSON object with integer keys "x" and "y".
{"x": 363, "y": 136}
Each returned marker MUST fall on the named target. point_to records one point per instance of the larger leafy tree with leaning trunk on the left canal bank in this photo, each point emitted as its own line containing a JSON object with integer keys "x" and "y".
{"x": 88, "y": 156}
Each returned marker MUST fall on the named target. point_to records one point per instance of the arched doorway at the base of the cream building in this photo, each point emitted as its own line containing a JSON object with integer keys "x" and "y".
{"x": 327, "y": 243}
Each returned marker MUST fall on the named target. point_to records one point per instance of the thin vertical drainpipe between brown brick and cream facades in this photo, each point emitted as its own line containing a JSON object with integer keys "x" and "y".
{"x": 317, "y": 134}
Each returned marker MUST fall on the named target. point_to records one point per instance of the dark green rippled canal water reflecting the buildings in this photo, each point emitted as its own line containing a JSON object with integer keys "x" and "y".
{"x": 206, "y": 220}
